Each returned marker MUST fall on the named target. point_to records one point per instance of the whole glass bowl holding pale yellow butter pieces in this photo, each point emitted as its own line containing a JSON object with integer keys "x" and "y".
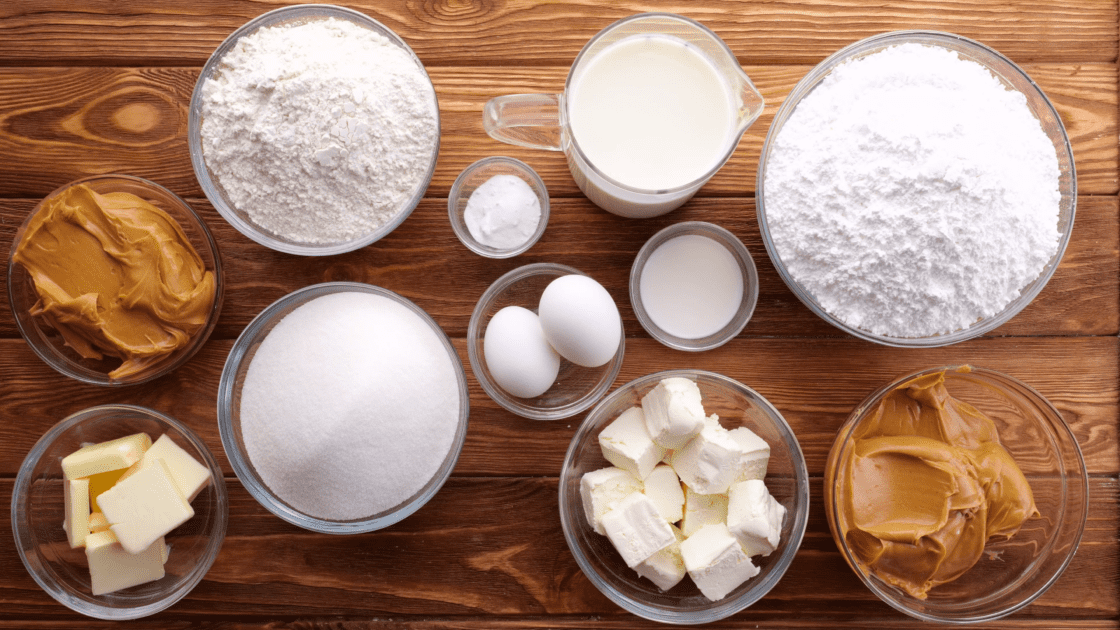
{"x": 55, "y": 485}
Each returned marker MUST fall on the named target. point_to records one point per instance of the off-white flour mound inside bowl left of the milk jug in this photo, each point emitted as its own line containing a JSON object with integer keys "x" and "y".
{"x": 319, "y": 133}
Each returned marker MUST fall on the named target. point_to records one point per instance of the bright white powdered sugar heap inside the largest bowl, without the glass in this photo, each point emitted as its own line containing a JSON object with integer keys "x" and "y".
{"x": 912, "y": 194}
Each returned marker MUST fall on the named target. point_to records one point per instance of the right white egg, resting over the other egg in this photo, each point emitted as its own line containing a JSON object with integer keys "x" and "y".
{"x": 581, "y": 321}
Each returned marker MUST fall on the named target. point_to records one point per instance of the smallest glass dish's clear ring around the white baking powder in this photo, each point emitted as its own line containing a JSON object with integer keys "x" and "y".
{"x": 477, "y": 175}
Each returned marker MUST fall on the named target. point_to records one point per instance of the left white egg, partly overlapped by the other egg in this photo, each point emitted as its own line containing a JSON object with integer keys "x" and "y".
{"x": 519, "y": 358}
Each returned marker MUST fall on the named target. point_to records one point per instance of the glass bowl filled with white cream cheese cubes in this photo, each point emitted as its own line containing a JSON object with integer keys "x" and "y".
{"x": 720, "y": 559}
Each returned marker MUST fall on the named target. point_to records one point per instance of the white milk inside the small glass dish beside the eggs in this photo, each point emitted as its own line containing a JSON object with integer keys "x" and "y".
{"x": 692, "y": 286}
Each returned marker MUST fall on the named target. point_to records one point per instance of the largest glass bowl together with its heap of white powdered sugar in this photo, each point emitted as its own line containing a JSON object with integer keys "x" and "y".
{"x": 874, "y": 256}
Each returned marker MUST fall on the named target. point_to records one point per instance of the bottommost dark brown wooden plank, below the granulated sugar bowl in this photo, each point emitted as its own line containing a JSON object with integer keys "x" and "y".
{"x": 463, "y": 555}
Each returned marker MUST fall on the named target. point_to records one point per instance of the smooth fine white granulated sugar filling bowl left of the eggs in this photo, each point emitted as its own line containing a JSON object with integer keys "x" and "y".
{"x": 350, "y": 406}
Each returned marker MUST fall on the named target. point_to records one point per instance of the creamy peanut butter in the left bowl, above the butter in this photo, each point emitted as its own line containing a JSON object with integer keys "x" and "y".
{"x": 116, "y": 276}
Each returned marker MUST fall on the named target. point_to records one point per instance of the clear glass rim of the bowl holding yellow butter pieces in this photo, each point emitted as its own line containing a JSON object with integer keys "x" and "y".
{"x": 216, "y": 539}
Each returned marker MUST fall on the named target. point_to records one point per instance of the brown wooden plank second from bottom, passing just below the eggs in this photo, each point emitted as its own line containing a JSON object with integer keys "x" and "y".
{"x": 815, "y": 384}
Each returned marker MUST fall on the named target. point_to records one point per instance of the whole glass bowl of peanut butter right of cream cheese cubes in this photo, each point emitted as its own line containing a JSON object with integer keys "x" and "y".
{"x": 957, "y": 495}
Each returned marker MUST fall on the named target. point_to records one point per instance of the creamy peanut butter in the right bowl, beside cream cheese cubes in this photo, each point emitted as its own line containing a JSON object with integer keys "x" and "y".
{"x": 926, "y": 486}
